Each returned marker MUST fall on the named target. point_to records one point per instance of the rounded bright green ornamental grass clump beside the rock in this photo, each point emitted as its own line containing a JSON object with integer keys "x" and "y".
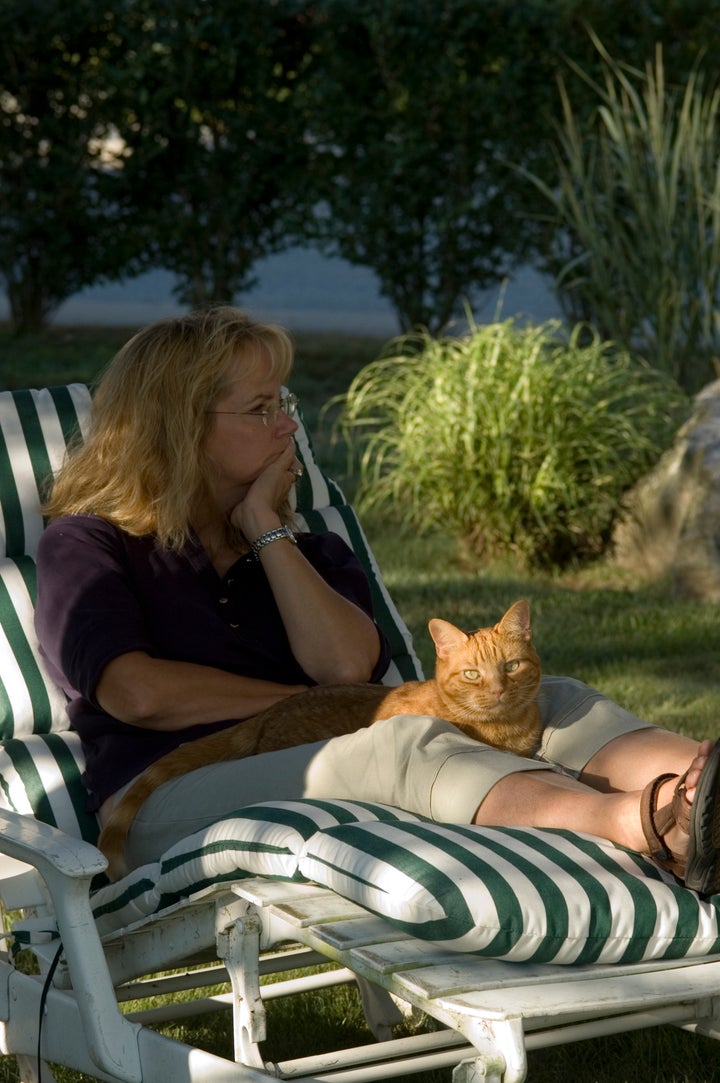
{"x": 521, "y": 440}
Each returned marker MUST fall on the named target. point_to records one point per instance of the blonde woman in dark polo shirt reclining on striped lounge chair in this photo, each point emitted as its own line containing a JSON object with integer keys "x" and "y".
{"x": 175, "y": 599}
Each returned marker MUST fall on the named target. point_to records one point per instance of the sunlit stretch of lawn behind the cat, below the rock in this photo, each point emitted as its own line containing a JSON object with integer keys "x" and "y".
{"x": 656, "y": 655}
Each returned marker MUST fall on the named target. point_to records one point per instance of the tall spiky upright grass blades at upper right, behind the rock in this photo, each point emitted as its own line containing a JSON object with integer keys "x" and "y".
{"x": 638, "y": 202}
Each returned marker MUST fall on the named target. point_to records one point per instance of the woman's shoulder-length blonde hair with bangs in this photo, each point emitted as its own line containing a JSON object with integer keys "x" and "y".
{"x": 142, "y": 466}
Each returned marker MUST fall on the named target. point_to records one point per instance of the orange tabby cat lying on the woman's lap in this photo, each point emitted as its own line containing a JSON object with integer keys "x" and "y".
{"x": 486, "y": 684}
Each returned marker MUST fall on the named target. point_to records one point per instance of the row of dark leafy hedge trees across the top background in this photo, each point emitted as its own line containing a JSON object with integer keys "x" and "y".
{"x": 204, "y": 137}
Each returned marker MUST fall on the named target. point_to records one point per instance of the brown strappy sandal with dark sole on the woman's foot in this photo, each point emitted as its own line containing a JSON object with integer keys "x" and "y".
{"x": 701, "y": 870}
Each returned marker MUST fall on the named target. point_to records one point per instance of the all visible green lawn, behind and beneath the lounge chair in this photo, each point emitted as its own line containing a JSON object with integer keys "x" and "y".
{"x": 654, "y": 654}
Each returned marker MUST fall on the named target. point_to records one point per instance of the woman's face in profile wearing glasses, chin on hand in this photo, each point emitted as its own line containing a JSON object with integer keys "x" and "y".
{"x": 247, "y": 433}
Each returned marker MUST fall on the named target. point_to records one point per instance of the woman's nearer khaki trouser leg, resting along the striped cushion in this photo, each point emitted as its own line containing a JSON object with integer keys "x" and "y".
{"x": 420, "y": 764}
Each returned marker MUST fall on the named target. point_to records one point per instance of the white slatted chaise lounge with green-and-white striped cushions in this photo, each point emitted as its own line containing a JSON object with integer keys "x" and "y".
{"x": 509, "y": 940}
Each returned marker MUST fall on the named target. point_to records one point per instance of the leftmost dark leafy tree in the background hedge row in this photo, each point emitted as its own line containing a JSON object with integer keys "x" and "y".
{"x": 62, "y": 223}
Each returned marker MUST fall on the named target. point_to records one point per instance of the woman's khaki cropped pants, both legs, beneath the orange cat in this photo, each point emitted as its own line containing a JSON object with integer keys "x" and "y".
{"x": 420, "y": 764}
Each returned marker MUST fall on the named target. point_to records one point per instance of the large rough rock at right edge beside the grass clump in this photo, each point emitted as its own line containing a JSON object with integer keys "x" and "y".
{"x": 671, "y": 526}
